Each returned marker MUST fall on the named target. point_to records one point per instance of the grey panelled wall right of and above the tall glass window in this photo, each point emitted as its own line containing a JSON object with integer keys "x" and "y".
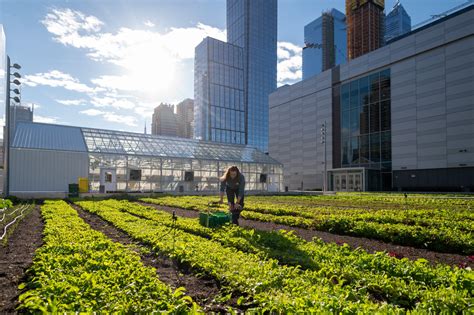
{"x": 432, "y": 94}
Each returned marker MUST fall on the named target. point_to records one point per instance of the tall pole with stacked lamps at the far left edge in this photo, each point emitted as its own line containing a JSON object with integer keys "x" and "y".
{"x": 6, "y": 136}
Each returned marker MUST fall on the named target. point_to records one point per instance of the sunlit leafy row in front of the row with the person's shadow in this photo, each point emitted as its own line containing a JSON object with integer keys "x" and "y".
{"x": 276, "y": 287}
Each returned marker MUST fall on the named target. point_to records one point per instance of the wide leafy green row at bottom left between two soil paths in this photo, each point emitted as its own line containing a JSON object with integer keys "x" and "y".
{"x": 80, "y": 270}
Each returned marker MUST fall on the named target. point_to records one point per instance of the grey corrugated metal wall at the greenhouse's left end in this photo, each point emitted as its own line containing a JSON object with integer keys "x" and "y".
{"x": 45, "y": 171}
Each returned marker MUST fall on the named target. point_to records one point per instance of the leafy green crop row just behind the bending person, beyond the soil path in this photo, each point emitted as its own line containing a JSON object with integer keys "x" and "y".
{"x": 448, "y": 234}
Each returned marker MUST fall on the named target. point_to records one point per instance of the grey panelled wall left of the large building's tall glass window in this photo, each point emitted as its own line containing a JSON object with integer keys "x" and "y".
{"x": 296, "y": 116}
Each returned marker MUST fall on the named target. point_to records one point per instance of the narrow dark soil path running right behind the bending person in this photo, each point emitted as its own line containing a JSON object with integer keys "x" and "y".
{"x": 369, "y": 245}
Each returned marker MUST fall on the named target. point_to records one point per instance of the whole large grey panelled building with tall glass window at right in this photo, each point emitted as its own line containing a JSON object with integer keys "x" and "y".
{"x": 398, "y": 118}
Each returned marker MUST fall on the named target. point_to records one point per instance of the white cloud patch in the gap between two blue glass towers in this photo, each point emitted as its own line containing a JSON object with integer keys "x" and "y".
{"x": 289, "y": 63}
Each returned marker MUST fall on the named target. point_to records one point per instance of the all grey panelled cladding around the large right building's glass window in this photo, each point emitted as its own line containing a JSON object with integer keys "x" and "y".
{"x": 432, "y": 109}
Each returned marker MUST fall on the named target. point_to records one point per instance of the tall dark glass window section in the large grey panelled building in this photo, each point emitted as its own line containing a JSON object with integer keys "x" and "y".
{"x": 366, "y": 124}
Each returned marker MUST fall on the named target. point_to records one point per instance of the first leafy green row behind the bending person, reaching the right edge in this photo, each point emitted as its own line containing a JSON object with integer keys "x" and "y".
{"x": 449, "y": 237}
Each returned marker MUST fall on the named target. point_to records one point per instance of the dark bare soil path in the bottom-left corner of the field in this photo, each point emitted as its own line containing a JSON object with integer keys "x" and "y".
{"x": 17, "y": 256}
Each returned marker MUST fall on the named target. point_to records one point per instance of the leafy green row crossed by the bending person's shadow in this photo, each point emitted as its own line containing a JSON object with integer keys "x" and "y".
{"x": 407, "y": 281}
